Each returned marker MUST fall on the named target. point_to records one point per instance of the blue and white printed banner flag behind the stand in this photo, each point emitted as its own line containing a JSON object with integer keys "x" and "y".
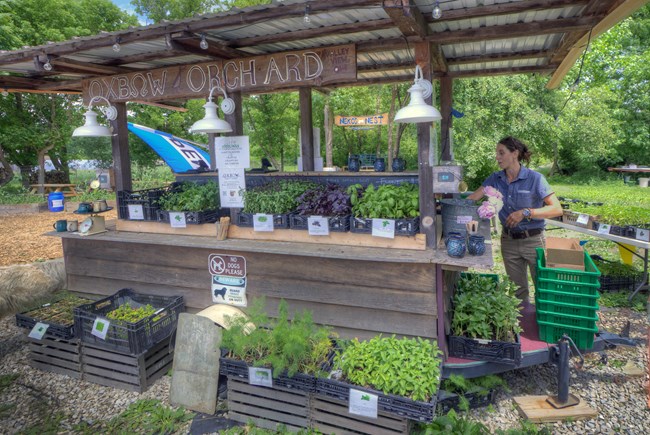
{"x": 178, "y": 153}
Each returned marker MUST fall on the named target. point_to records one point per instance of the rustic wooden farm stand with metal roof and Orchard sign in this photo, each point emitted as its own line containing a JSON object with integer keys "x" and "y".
{"x": 358, "y": 285}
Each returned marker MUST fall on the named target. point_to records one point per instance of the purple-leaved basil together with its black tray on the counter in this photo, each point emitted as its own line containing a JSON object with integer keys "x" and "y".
{"x": 331, "y": 201}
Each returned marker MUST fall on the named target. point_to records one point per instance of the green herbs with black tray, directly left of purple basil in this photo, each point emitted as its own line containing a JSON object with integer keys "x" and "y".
{"x": 278, "y": 198}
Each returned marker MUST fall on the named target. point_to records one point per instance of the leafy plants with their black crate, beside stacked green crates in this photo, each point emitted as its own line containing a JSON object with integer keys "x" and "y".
{"x": 485, "y": 322}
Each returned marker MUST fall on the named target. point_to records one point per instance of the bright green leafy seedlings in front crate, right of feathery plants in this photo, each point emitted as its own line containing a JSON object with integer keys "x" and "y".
{"x": 408, "y": 367}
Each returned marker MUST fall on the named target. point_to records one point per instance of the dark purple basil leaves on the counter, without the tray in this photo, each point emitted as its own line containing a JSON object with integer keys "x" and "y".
{"x": 330, "y": 200}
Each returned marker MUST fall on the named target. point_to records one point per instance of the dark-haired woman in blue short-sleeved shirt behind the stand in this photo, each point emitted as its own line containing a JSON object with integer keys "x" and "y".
{"x": 527, "y": 200}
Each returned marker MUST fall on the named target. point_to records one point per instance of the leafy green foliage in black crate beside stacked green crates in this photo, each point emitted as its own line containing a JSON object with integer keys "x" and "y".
{"x": 485, "y": 309}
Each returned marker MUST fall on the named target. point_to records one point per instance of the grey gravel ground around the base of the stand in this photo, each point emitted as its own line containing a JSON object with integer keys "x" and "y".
{"x": 620, "y": 399}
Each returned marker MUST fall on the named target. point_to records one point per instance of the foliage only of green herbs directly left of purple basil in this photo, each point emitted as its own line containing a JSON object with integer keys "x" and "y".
{"x": 277, "y": 197}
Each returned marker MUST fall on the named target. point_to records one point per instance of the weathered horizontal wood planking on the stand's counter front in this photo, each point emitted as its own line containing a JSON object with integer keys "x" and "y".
{"x": 360, "y": 298}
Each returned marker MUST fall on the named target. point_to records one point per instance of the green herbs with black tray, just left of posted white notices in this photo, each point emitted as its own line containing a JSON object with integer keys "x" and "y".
{"x": 199, "y": 202}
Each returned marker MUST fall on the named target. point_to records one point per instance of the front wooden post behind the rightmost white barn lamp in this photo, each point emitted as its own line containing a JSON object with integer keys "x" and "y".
{"x": 425, "y": 173}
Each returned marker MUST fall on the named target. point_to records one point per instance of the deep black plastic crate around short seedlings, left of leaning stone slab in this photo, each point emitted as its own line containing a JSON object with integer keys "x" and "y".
{"x": 129, "y": 338}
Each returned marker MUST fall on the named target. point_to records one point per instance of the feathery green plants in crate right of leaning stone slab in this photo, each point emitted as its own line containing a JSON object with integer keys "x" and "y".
{"x": 293, "y": 346}
